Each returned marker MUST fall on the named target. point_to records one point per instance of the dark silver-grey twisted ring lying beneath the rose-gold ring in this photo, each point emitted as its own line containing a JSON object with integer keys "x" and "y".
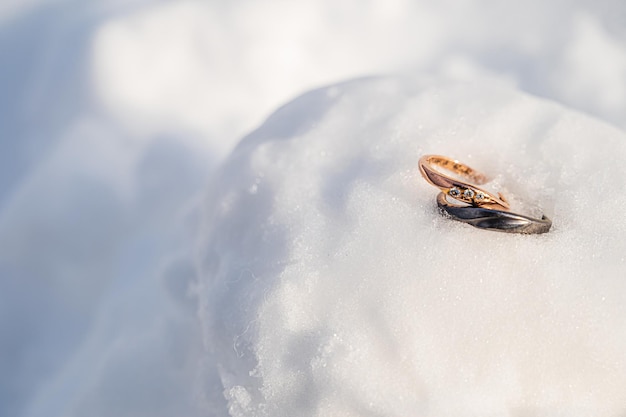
{"x": 489, "y": 219}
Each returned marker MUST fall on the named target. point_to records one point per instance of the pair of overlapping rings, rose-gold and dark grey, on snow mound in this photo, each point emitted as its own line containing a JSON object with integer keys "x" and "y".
{"x": 482, "y": 209}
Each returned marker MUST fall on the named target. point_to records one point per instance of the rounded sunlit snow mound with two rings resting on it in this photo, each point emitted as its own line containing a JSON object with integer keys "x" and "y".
{"x": 331, "y": 286}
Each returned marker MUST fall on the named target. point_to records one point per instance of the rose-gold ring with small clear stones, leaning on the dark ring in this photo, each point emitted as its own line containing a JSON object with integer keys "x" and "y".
{"x": 456, "y": 189}
